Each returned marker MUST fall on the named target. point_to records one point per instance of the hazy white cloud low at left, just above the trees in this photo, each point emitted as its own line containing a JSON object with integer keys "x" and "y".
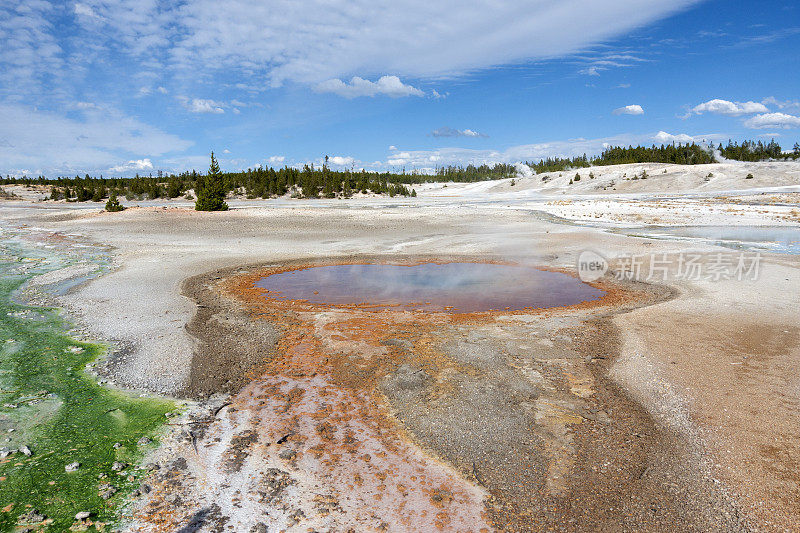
{"x": 52, "y": 144}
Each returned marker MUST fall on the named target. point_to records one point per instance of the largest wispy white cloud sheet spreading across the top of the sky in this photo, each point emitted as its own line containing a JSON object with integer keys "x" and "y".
{"x": 313, "y": 41}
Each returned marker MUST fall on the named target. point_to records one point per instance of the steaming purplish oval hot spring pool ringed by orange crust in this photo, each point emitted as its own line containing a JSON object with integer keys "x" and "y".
{"x": 448, "y": 287}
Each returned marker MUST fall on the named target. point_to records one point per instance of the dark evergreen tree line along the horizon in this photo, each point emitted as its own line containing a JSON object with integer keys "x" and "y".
{"x": 323, "y": 182}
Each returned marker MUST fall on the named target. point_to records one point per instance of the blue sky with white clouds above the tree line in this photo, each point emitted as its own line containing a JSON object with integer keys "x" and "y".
{"x": 118, "y": 87}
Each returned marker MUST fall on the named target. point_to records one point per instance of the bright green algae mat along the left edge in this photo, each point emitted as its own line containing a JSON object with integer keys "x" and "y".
{"x": 61, "y": 432}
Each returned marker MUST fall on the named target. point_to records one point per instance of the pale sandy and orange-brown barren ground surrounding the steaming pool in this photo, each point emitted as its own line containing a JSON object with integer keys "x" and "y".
{"x": 674, "y": 411}
